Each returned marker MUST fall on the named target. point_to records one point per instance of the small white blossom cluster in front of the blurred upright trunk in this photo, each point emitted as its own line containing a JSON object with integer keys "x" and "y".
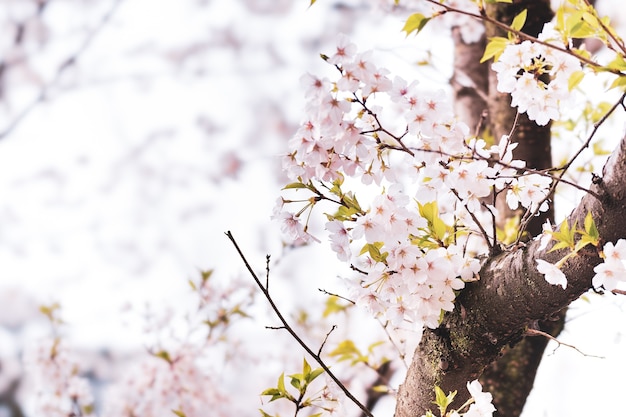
{"x": 537, "y": 76}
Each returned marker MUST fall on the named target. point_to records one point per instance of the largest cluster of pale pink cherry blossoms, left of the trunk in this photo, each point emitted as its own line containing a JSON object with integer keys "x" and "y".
{"x": 415, "y": 242}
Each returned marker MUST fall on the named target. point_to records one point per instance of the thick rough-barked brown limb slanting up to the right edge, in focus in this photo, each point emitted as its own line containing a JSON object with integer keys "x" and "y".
{"x": 510, "y": 296}
